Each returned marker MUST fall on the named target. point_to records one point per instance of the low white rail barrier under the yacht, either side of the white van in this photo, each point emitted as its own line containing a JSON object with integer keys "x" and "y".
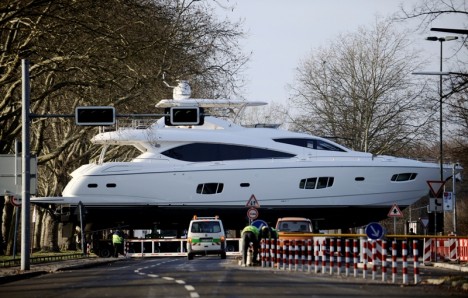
{"x": 169, "y": 247}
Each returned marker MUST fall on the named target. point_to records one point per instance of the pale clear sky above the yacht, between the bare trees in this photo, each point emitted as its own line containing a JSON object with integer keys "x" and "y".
{"x": 281, "y": 33}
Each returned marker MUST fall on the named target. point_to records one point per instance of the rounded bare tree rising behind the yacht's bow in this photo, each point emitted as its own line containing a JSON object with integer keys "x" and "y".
{"x": 359, "y": 90}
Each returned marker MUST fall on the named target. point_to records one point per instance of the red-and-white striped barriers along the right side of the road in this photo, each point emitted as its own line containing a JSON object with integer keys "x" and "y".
{"x": 324, "y": 255}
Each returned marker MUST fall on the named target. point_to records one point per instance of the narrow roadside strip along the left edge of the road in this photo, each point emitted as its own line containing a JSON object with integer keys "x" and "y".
{"x": 14, "y": 273}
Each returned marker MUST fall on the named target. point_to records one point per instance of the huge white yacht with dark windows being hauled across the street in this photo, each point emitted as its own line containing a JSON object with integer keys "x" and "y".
{"x": 221, "y": 166}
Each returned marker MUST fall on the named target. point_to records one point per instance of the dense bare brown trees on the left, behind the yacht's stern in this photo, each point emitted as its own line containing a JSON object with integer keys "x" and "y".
{"x": 88, "y": 52}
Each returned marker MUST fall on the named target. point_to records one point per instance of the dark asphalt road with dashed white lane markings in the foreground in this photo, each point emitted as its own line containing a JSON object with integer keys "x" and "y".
{"x": 206, "y": 277}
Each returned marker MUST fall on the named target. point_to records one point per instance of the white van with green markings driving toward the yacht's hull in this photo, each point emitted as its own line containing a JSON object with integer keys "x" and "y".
{"x": 206, "y": 236}
